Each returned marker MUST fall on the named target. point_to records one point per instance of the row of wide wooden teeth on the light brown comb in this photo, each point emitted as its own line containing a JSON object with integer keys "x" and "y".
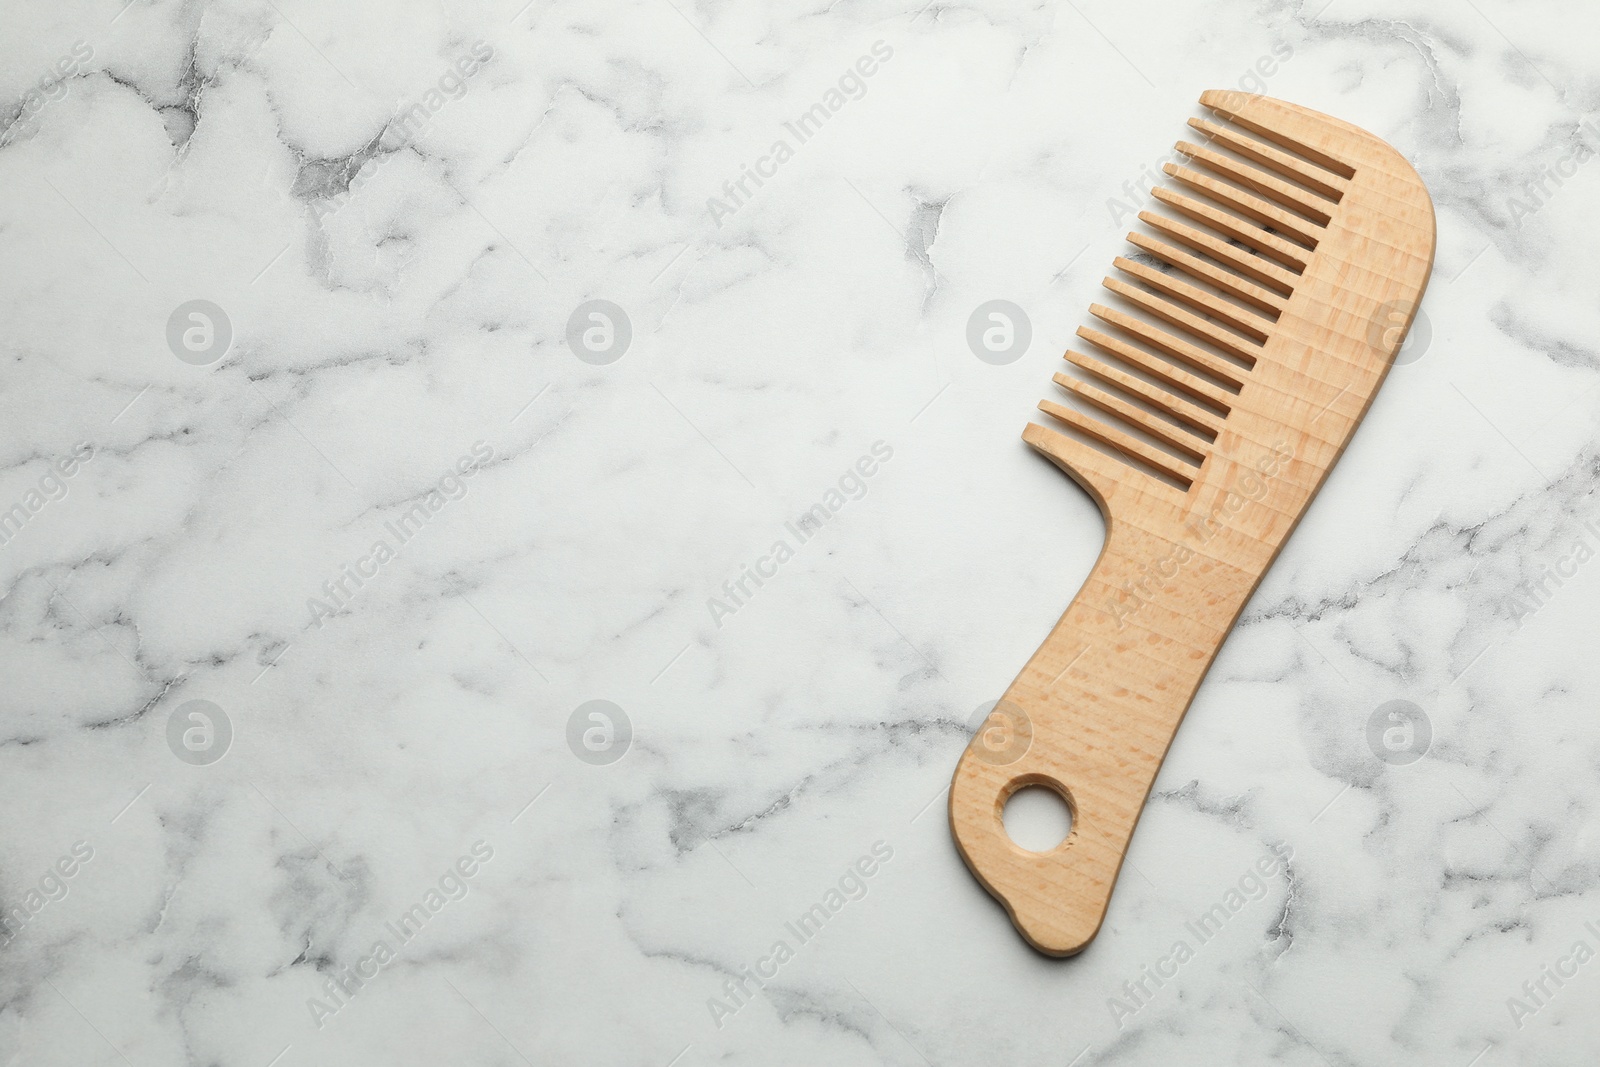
{"x": 1255, "y": 214}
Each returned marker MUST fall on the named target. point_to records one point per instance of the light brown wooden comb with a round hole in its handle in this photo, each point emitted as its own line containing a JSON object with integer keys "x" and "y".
{"x": 1258, "y": 327}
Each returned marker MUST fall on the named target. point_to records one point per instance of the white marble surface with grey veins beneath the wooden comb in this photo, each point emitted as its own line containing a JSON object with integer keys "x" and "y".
{"x": 386, "y": 327}
